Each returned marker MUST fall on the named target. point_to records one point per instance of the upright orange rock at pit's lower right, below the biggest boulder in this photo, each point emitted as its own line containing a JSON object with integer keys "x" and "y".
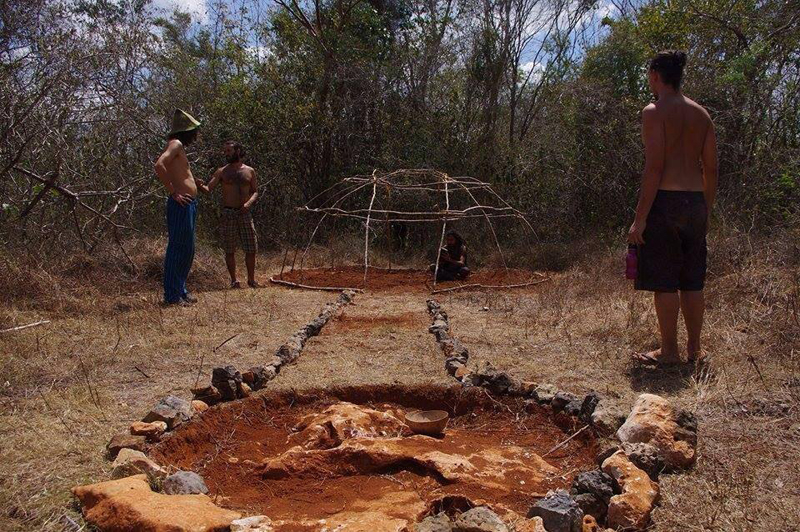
{"x": 631, "y": 509}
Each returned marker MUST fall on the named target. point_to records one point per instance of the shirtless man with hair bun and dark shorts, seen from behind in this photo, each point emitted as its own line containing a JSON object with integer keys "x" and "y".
{"x": 678, "y": 190}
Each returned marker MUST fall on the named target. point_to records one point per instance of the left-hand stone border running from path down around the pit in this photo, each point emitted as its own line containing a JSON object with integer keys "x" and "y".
{"x": 227, "y": 384}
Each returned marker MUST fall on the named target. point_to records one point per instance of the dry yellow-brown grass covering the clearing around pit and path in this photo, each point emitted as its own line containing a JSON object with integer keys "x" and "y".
{"x": 67, "y": 387}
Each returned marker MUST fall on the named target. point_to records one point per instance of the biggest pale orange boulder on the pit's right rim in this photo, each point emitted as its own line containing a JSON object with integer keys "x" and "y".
{"x": 653, "y": 420}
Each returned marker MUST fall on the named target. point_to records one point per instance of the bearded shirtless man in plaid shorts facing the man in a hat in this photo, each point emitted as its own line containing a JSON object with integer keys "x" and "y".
{"x": 239, "y": 193}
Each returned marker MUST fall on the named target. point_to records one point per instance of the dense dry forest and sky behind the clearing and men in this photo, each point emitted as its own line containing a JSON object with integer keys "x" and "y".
{"x": 541, "y": 98}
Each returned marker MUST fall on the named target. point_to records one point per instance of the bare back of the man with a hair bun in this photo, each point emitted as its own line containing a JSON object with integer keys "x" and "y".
{"x": 686, "y": 126}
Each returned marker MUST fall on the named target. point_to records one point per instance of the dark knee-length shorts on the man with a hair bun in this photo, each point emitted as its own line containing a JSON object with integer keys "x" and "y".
{"x": 673, "y": 256}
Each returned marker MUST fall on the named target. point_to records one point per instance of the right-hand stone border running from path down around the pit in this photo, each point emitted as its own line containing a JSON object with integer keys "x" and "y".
{"x": 622, "y": 492}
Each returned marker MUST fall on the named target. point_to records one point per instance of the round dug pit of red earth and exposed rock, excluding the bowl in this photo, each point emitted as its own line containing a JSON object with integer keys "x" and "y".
{"x": 343, "y": 458}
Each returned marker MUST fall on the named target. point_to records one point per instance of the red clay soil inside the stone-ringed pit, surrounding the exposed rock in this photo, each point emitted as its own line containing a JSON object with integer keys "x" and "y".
{"x": 227, "y": 444}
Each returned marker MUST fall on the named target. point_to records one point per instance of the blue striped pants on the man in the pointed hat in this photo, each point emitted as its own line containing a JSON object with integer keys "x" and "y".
{"x": 180, "y": 249}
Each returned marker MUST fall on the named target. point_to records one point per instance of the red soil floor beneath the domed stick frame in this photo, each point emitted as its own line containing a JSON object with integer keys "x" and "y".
{"x": 400, "y": 280}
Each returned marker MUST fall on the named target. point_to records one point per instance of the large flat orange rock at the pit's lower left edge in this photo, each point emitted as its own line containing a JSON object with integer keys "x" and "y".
{"x": 130, "y": 504}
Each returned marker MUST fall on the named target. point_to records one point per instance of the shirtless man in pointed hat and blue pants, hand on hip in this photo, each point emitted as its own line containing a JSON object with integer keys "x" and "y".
{"x": 172, "y": 168}
